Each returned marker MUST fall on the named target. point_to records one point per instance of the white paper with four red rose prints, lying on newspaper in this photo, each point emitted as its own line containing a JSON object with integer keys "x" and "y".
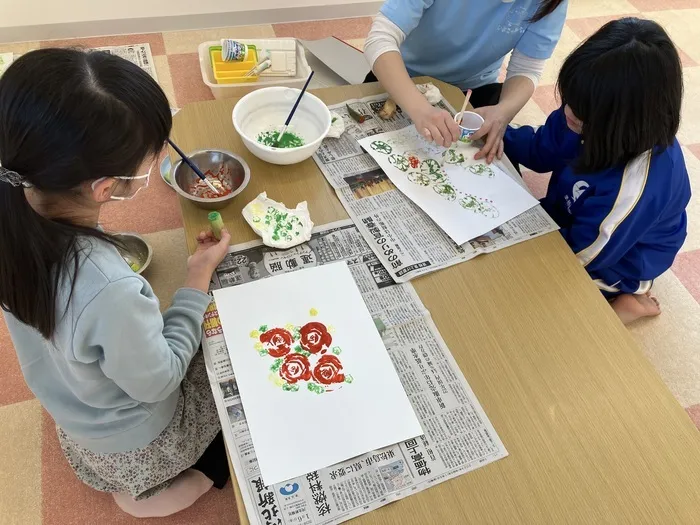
{"x": 298, "y": 430}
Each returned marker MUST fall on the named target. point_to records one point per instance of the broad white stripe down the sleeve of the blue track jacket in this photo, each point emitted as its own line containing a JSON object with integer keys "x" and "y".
{"x": 634, "y": 180}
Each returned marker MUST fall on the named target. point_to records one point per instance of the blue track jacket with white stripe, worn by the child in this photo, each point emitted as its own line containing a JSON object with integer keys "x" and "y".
{"x": 625, "y": 224}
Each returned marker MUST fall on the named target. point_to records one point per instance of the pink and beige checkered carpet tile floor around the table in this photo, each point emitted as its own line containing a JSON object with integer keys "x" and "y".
{"x": 48, "y": 492}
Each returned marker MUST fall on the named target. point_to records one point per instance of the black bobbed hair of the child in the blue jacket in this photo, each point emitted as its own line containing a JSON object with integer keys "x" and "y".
{"x": 626, "y": 84}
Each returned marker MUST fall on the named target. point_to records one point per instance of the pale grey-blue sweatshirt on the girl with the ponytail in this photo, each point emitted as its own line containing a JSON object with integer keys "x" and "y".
{"x": 110, "y": 377}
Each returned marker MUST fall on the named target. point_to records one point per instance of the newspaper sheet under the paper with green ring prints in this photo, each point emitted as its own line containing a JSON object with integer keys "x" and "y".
{"x": 403, "y": 236}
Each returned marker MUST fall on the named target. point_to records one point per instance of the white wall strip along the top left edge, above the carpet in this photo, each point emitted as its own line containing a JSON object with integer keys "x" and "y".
{"x": 46, "y": 19}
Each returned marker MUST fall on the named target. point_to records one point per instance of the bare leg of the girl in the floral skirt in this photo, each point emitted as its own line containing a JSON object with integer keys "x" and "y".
{"x": 187, "y": 488}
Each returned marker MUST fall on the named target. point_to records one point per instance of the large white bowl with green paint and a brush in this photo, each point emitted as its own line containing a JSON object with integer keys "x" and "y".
{"x": 266, "y": 110}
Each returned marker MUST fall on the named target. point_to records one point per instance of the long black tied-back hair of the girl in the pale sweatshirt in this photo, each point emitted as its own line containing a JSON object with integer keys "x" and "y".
{"x": 67, "y": 117}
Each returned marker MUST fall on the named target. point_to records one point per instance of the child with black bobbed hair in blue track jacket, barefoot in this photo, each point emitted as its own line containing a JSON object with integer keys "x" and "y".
{"x": 619, "y": 185}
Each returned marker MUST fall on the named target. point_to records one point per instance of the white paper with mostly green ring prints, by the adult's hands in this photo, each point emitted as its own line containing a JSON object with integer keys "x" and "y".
{"x": 466, "y": 198}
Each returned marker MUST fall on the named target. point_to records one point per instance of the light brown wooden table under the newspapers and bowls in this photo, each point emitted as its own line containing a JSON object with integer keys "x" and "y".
{"x": 594, "y": 436}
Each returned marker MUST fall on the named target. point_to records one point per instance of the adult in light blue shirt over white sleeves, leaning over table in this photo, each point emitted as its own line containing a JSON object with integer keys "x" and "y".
{"x": 464, "y": 42}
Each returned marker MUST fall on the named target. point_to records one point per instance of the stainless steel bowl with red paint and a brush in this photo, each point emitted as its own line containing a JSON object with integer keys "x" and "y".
{"x": 236, "y": 172}
